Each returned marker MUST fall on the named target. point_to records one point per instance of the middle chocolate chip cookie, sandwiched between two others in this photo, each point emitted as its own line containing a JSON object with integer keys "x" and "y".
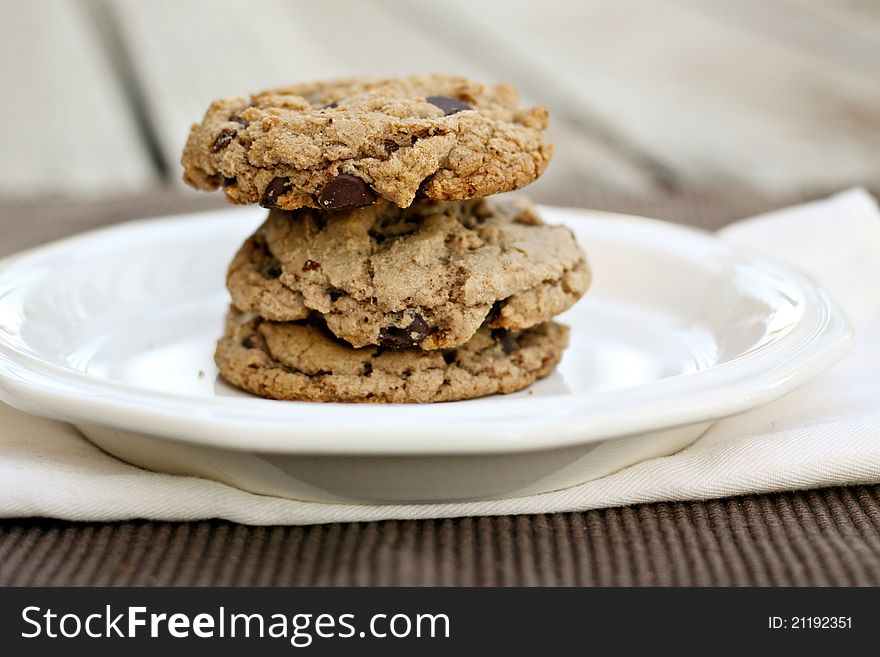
{"x": 429, "y": 275}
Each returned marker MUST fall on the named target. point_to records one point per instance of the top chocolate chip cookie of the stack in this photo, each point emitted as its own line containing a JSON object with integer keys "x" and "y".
{"x": 349, "y": 143}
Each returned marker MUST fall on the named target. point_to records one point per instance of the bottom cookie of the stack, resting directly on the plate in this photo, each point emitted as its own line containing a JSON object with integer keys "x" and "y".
{"x": 302, "y": 361}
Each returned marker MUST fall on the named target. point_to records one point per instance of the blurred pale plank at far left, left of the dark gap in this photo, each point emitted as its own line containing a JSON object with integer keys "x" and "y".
{"x": 64, "y": 123}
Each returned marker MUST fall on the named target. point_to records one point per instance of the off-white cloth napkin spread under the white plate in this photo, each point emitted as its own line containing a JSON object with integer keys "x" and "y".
{"x": 823, "y": 434}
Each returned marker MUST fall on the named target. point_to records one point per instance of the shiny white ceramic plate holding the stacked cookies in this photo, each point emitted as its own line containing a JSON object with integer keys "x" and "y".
{"x": 114, "y": 331}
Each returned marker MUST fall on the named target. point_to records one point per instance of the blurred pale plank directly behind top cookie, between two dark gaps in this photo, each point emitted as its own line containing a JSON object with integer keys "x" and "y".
{"x": 188, "y": 53}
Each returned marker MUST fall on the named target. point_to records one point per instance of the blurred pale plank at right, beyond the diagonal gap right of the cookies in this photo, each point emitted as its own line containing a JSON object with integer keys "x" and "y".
{"x": 709, "y": 99}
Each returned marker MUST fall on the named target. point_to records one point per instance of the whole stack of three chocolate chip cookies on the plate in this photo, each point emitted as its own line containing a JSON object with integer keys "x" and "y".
{"x": 382, "y": 273}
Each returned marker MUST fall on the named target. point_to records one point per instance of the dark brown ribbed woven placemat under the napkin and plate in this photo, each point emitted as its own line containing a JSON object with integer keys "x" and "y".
{"x": 827, "y": 537}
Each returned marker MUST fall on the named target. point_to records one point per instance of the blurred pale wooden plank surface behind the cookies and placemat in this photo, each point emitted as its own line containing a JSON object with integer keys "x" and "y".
{"x": 775, "y": 98}
